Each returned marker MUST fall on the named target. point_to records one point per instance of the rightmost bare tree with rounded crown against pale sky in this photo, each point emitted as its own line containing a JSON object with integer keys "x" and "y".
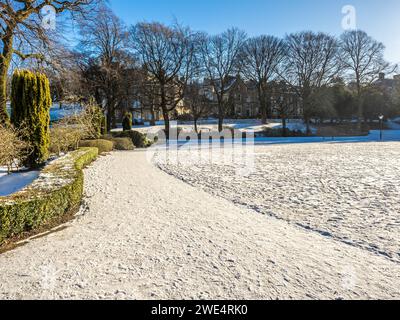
{"x": 363, "y": 57}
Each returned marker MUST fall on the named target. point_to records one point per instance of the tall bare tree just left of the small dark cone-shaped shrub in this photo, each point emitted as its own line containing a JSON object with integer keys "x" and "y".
{"x": 105, "y": 60}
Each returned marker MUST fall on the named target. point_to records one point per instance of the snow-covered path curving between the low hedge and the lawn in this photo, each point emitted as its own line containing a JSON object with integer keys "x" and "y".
{"x": 146, "y": 235}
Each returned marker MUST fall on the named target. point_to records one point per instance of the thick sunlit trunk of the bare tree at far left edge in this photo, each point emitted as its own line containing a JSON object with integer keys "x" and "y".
{"x": 5, "y": 60}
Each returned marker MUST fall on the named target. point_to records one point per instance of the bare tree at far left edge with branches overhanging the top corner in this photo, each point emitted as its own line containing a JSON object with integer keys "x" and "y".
{"x": 21, "y": 23}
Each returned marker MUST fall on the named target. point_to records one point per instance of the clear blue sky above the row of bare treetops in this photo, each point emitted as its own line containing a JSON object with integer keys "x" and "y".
{"x": 380, "y": 18}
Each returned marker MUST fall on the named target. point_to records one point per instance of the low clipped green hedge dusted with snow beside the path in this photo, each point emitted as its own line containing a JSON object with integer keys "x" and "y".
{"x": 58, "y": 191}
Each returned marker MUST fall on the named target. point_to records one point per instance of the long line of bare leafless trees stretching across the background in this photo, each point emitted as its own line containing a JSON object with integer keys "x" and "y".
{"x": 157, "y": 66}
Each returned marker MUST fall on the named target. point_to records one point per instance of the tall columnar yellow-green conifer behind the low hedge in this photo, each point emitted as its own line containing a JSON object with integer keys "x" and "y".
{"x": 30, "y": 106}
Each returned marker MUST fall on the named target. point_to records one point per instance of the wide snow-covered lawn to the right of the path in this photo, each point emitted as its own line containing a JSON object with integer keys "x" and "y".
{"x": 348, "y": 192}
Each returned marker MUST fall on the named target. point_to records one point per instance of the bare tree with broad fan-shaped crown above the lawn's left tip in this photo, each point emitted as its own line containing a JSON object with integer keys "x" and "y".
{"x": 167, "y": 55}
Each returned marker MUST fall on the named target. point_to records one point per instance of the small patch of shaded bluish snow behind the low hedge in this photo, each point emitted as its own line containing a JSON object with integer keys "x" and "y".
{"x": 11, "y": 183}
